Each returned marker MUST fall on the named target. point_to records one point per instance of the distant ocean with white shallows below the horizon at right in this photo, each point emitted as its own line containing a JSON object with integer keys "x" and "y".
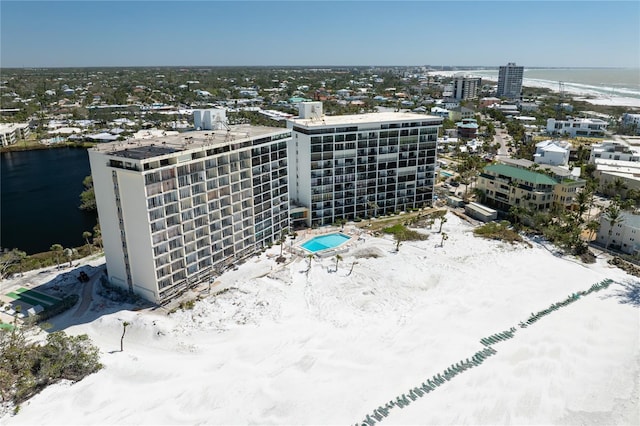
{"x": 619, "y": 82}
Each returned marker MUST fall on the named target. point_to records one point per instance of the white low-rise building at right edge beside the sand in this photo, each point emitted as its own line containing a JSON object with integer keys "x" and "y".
{"x": 623, "y": 235}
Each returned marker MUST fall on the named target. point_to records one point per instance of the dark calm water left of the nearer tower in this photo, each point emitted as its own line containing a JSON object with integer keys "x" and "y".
{"x": 39, "y": 199}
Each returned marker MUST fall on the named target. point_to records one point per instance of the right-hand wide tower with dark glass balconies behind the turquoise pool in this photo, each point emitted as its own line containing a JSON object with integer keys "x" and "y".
{"x": 358, "y": 166}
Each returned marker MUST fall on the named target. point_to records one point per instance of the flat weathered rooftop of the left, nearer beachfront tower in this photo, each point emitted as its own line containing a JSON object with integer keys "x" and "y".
{"x": 140, "y": 149}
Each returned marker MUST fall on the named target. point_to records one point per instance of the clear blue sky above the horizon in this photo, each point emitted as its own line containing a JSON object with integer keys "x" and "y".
{"x": 218, "y": 33}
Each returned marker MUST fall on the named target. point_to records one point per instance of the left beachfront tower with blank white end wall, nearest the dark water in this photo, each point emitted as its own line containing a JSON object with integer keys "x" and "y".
{"x": 175, "y": 211}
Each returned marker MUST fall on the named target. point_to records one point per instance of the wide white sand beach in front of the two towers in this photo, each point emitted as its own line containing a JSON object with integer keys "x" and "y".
{"x": 280, "y": 346}
